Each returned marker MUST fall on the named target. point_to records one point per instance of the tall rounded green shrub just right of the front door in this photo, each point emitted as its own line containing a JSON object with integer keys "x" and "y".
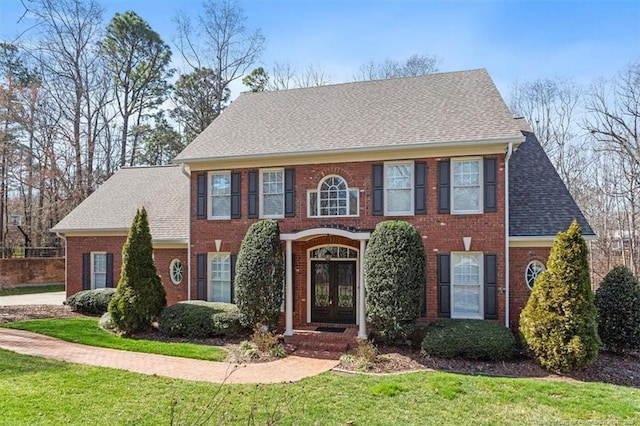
{"x": 394, "y": 279}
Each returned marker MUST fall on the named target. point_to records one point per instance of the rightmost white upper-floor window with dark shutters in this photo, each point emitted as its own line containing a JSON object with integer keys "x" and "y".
{"x": 466, "y": 188}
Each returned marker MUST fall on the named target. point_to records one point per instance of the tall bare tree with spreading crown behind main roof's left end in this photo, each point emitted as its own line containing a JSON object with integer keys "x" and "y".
{"x": 219, "y": 40}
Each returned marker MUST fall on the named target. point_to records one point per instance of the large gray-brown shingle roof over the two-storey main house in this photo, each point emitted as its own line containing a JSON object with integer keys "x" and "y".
{"x": 437, "y": 108}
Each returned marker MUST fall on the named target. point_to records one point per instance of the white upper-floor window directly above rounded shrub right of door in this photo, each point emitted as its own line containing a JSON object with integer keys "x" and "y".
{"x": 398, "y": 186}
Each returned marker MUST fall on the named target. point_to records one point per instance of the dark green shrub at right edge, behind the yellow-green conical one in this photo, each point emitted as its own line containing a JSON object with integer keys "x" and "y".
{"x": 618, "y": 303}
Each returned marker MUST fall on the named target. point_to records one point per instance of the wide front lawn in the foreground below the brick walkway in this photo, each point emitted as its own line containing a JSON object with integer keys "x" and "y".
{"x": 40, "y": 391}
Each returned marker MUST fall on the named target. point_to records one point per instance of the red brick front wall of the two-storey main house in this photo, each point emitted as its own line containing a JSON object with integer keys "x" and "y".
{"x": 440, "y": 232}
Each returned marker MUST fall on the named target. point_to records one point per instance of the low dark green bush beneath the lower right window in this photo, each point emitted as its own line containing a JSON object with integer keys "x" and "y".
{"x": 468, "y": 339}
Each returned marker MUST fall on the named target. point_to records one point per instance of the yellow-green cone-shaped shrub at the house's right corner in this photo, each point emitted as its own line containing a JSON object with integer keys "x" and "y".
{"x": 558, "y": 324}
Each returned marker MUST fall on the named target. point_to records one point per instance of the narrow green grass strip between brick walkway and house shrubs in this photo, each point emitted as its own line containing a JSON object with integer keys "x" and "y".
{"x": 85, "y": 331}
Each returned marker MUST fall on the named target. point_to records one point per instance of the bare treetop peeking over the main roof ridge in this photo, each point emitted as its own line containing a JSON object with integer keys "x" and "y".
{"x": 414, "y": 66}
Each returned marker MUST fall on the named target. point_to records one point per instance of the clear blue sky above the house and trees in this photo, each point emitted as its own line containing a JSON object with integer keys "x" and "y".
{"x": 514, "y": 40}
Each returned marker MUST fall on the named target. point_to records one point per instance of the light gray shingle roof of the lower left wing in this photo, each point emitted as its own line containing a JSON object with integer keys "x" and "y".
{"x": 162, "y": 191}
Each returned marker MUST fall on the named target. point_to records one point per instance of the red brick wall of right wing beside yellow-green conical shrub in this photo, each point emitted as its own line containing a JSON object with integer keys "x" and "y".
{"x": 519, "y": 292}
